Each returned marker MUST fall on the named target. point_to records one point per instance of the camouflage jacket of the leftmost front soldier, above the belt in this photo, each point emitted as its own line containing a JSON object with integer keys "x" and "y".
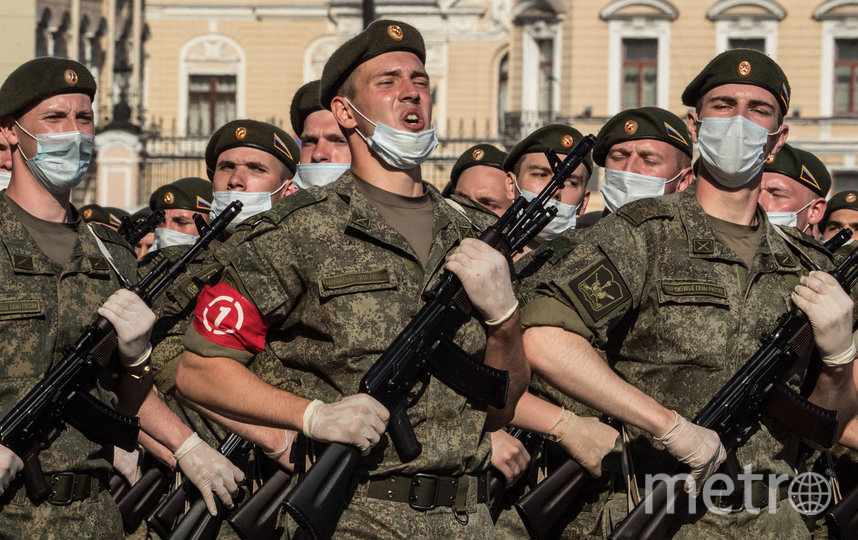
{"x": 43, "y": 308}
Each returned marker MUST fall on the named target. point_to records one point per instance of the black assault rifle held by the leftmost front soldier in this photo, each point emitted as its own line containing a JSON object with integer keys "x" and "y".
{"x": 62, "y": 396}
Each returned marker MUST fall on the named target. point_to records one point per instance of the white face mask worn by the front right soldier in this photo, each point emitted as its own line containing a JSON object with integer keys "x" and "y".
{"x": 732, "y": 149}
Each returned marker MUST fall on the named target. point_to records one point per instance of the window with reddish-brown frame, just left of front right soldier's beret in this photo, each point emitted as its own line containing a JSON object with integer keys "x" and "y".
{"x": 640, "y": 72}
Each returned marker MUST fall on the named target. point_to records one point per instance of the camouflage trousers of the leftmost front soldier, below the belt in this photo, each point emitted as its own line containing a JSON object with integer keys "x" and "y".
{"x": 95, "y": 518}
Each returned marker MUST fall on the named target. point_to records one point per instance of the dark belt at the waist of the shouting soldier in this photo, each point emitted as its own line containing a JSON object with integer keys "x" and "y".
{"x": 428, "y": 491}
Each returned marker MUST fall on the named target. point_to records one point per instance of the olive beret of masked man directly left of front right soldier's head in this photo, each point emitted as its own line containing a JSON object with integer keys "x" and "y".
{"x": 643, "y": 123}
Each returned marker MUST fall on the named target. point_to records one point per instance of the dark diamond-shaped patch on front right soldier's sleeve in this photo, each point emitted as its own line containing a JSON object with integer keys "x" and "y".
{"x": 599, "y": 289}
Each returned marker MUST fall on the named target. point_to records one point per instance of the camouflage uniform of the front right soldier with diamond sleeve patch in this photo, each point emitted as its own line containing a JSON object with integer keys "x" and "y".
{"x": 677, "y": 313}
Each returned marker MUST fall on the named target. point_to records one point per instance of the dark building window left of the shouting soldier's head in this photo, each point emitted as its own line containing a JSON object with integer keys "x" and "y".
{"x": 211, "y": 103}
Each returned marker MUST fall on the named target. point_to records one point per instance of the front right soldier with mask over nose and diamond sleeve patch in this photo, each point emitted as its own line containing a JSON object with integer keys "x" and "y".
{"x": 676, "y": 293}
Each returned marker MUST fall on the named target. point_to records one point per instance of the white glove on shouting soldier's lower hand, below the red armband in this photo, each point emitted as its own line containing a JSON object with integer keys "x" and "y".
{"x": 358, "y": 420}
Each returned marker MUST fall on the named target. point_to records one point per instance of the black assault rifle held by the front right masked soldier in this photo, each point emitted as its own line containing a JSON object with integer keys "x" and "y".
{"x": 757, "y": 388}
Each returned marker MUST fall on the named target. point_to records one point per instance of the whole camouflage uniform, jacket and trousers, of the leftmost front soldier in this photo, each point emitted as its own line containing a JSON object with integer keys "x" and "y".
{"x": 44, "y": 307}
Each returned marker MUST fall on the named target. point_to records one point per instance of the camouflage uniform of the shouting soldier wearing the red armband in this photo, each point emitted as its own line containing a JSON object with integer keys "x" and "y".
{"x": 336, "y": 285}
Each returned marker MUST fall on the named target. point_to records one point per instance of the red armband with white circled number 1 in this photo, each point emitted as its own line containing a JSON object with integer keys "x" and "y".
{"x": 227, "y": 318}
